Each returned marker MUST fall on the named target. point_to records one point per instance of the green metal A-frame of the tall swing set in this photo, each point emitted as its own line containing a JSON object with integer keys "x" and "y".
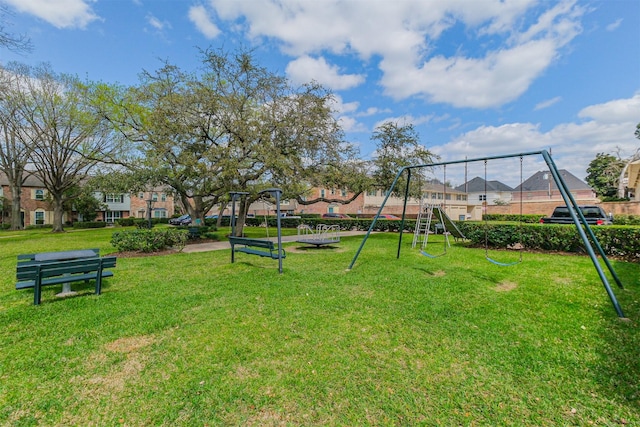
{"x": 591, "y": 243}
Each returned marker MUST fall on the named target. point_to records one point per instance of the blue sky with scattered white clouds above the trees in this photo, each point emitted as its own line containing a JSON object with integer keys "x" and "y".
{"x": 476, "y": 78}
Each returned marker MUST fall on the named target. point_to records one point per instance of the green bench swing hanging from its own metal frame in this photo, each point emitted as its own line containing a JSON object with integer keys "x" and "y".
{"x": 266, "y": 248}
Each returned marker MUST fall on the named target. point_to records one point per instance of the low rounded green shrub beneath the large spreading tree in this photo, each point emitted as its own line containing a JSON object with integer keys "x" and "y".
{"x": 145, "y": 240}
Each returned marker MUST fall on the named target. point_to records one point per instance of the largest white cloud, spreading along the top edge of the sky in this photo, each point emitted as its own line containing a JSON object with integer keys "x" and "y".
{"x": 404, "y": 37}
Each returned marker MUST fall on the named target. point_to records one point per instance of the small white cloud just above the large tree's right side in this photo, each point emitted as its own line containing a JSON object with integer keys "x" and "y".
{"x": 305, "y": 69}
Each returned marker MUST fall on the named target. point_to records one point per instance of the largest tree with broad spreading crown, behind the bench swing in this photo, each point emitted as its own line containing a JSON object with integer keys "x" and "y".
{"x": 233, "y": 126}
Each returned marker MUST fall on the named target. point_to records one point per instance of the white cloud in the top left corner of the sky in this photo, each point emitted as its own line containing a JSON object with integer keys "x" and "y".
{"x": 60, "y": 13}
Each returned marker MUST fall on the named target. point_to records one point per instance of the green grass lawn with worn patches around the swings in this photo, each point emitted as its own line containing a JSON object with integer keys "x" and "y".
{"x": 190, "y": 339}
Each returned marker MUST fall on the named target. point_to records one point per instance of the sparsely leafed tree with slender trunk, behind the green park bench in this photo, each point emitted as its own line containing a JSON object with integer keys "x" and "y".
{"x": 67, "y": 137}
